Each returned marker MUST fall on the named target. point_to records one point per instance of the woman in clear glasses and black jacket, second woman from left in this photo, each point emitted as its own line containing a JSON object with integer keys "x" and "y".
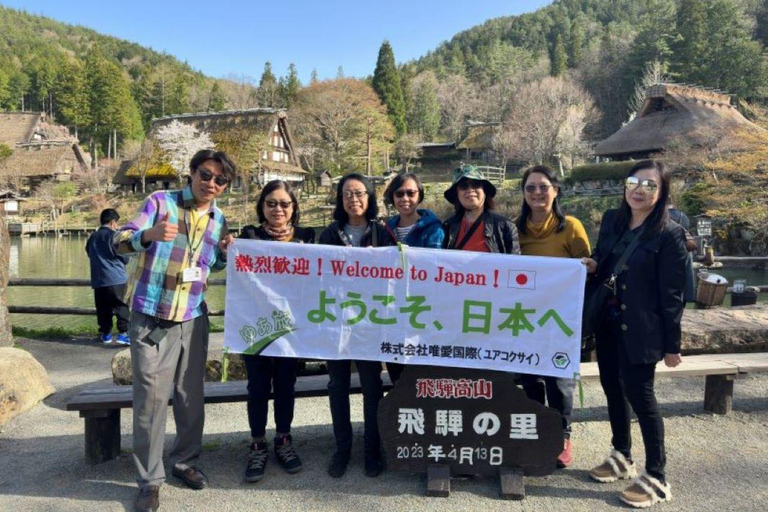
{"x": 355, "y": 225}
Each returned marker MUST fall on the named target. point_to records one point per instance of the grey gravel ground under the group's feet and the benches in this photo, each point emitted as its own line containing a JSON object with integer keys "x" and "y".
{"x": 715, "y": 463}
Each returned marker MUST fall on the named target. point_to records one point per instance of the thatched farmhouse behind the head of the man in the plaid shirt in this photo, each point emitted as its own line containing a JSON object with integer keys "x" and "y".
{"x": 258, "y": 140}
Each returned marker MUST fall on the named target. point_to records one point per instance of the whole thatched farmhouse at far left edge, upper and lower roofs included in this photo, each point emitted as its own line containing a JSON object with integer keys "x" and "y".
{"x": 40, "y": 151}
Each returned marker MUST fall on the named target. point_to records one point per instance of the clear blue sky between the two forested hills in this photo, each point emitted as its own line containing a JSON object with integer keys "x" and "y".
{"x": 236, "y": 37}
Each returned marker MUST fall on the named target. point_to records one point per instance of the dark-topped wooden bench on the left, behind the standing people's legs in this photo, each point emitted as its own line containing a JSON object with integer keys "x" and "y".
{"x": 100, "y": 408}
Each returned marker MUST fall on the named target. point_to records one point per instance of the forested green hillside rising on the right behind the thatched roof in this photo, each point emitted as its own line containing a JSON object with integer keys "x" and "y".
{"x": 606, "y": 47}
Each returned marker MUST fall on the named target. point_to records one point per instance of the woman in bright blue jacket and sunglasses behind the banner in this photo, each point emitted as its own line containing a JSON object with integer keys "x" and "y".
{"x": 412, "y": 225}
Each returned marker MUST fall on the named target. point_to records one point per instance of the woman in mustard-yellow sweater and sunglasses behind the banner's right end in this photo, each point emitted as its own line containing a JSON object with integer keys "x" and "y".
{"x": 545, "y": 231}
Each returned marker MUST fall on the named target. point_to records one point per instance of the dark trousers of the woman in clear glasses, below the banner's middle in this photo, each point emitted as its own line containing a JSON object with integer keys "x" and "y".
{"x": 340, "y": 372}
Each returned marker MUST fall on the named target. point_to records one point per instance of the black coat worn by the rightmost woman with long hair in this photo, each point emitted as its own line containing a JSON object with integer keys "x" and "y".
{"x": 649, "y": 290}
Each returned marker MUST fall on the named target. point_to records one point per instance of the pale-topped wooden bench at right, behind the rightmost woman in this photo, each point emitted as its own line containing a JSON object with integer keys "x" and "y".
{"x": 719, "y": 371}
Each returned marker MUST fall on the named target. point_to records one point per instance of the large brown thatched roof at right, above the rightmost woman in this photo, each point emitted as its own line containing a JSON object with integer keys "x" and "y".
{"x": 672, "y": 113}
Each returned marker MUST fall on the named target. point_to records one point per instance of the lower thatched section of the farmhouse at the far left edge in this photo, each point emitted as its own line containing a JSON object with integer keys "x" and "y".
{"x": 38, "y": 161}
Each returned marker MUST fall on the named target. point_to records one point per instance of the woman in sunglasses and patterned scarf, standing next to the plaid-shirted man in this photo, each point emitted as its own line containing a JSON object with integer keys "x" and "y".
{"x": 278, "y": 214}
